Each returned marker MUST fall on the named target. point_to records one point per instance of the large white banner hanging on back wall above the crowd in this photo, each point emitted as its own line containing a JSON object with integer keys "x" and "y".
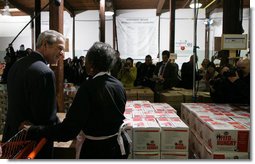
{"x": 137, "y": 37}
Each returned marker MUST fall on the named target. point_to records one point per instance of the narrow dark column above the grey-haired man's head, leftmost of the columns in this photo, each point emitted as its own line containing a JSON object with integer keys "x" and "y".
{"x": 38, "y": 18}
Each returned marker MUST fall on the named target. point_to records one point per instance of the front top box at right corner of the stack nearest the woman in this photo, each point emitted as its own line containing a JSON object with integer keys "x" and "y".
{"x": 174, "y": 134}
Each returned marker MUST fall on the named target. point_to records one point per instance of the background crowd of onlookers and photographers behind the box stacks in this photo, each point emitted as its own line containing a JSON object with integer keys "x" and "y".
{"x": 226, "y": 83}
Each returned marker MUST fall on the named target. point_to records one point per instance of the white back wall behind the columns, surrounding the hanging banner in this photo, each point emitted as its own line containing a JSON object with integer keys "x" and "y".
{"x": 87, "y": 31}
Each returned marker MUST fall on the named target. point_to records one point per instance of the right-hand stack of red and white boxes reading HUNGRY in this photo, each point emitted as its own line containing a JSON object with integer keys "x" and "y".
{"x": 217, "y": 131}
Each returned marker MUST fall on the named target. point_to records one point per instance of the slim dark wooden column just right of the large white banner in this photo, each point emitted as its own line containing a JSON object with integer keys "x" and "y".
{"x": 172, "y": 25}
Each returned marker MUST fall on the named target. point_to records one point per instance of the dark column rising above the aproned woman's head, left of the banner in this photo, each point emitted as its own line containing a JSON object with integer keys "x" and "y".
{"x": 102, "y": 21}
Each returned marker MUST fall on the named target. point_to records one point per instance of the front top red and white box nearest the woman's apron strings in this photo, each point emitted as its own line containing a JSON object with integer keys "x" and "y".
{"x": 146, "y": 135}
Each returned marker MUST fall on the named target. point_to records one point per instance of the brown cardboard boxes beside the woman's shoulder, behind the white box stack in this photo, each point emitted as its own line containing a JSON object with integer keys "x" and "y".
{"x": 140, "y": 94}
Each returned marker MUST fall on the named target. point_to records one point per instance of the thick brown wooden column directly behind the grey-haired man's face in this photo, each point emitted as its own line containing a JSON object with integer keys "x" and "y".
{"x": 56, "y": 23}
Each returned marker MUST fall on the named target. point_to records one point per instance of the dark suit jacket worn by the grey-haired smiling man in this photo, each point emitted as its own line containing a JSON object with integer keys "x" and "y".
{"x": 31, "y": 94}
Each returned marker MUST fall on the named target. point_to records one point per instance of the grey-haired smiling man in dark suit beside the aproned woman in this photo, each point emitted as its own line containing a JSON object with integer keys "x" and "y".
{"x": 31, "y": 88}
